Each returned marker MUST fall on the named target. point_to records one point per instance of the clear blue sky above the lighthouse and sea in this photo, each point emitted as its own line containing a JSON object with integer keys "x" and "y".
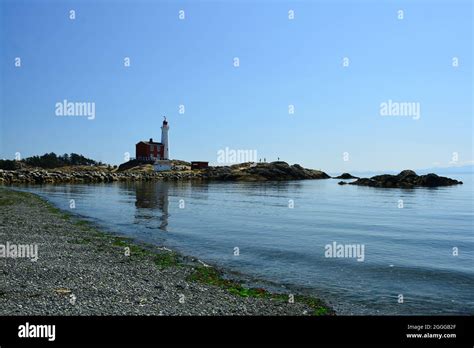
{"x": 282, "y": 62}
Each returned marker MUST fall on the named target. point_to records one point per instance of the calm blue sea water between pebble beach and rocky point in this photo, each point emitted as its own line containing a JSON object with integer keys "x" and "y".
{"x": 408, "y": 251}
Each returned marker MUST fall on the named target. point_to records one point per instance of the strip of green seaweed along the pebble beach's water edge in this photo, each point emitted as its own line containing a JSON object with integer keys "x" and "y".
{"x": 163, "y": 258}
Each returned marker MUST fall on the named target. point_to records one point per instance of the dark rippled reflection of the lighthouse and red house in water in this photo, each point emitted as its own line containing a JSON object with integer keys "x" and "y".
{"x": 152, "y": 195}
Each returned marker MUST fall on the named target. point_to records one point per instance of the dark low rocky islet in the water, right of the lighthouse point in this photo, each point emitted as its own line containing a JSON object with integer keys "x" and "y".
{"x": 406, "y": 179}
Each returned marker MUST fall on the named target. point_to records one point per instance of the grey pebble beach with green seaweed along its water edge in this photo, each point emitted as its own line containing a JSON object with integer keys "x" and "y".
{"x": 82, "y": 270}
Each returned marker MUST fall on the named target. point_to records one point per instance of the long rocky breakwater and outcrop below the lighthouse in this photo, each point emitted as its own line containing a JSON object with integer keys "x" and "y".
{"x": 245, "y": 172}
